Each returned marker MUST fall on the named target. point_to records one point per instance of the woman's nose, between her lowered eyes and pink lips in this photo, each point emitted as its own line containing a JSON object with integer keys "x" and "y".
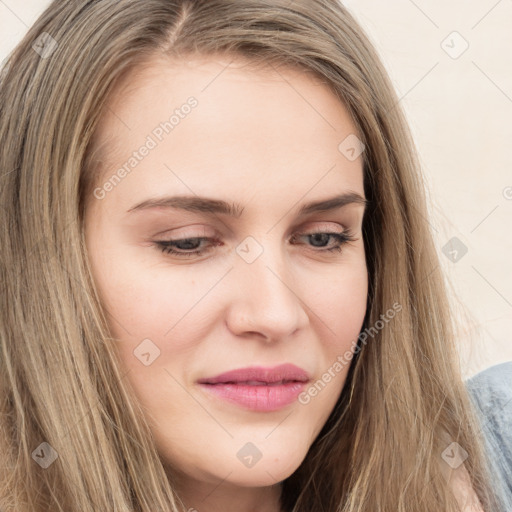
{"x": 264, "y": 302}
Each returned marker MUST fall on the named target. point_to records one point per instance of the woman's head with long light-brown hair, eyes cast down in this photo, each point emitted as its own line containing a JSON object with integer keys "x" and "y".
{"x": 220, "y": 290}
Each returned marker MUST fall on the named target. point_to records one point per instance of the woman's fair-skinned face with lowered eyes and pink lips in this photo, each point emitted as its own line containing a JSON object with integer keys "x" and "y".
{"x": 264, "y": 290}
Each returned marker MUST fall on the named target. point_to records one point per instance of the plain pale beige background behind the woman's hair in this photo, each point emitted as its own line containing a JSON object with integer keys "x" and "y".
{"x": 451, "y": 63}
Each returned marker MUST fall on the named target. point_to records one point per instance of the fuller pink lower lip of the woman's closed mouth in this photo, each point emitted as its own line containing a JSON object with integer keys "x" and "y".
{"x": 257, "y": 398}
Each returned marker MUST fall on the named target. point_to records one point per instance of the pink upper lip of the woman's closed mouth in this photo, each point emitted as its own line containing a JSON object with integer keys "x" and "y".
{"x": 283, "y": 372}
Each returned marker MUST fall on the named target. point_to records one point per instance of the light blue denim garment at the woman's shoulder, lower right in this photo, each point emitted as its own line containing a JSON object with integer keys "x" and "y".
{"x": 491, "y": 392}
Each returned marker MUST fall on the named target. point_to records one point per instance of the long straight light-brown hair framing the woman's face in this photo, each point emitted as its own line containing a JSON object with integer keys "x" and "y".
{"x": 404, "y": 400}
